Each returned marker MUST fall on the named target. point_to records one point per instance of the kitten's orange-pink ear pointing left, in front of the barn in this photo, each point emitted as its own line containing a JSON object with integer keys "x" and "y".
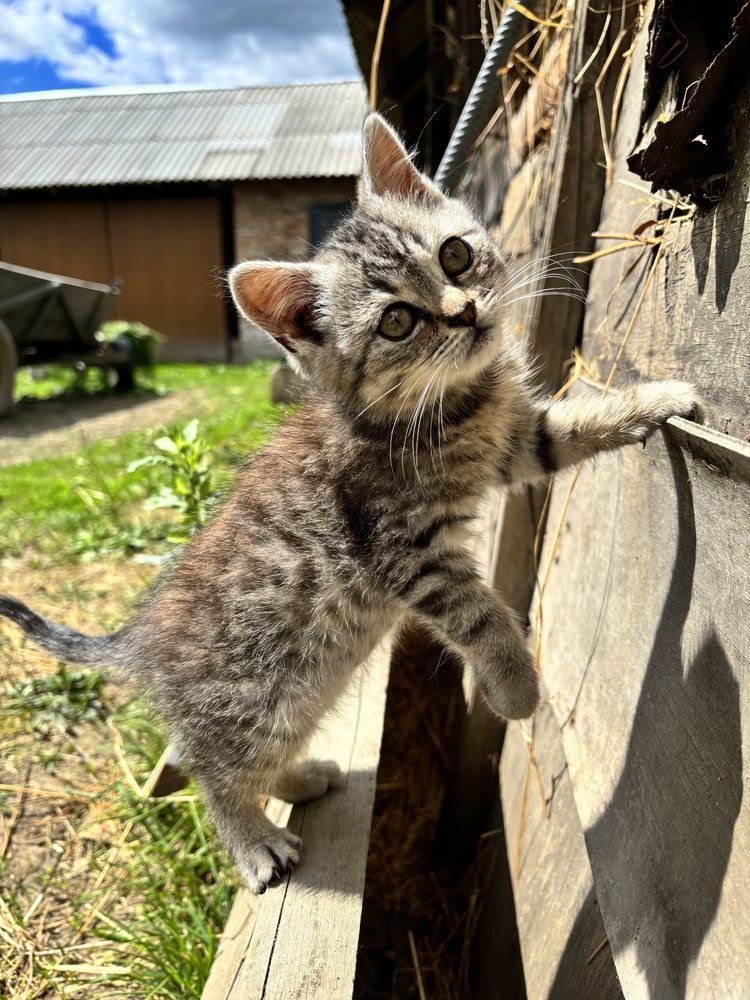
{"x": 279, "y": 297}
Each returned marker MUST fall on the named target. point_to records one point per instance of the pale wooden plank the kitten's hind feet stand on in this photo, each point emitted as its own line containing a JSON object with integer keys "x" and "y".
{"x": 303, "y": 943}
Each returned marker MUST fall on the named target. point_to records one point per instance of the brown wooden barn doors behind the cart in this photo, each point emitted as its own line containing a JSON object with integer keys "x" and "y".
{"x": 167, "y": 252}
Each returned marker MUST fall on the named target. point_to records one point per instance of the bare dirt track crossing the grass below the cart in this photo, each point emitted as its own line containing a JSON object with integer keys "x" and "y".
{"x": 48, "y": 428}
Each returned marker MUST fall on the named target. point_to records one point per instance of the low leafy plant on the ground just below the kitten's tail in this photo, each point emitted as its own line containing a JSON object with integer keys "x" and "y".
{"x": 59, "y": 701}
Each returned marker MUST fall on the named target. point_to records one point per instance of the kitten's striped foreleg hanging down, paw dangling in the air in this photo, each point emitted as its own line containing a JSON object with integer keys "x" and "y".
{"x": 474, "y": 621}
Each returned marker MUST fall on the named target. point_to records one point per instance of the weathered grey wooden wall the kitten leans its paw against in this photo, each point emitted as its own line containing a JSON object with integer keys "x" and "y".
{"x": 628, "y": 838}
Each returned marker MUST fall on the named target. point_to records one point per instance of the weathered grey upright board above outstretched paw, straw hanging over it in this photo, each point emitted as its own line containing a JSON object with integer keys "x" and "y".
{"x": 693, "y": 322}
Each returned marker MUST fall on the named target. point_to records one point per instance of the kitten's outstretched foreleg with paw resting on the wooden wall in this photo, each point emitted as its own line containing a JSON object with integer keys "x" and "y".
{"x": 553, "y": 436}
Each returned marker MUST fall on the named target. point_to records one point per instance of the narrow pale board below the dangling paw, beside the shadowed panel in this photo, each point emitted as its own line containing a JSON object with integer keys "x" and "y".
{"x": 559, "y": 924}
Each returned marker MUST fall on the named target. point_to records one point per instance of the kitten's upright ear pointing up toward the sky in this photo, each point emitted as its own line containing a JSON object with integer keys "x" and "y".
{"x": 387, "y": 168}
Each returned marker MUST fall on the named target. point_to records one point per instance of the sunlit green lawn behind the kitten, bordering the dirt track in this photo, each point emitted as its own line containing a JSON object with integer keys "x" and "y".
{"x": 87, "y": 503}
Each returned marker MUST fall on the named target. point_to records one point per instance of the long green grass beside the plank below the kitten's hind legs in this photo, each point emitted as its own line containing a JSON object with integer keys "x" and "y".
{"x": 177, "y": 876}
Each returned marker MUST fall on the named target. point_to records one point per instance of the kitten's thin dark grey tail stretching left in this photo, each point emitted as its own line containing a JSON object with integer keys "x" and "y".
{"x": 62, "y": 642}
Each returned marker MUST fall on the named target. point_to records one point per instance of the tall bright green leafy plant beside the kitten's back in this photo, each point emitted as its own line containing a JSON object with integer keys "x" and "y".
{"x": 183, "y": 453}
